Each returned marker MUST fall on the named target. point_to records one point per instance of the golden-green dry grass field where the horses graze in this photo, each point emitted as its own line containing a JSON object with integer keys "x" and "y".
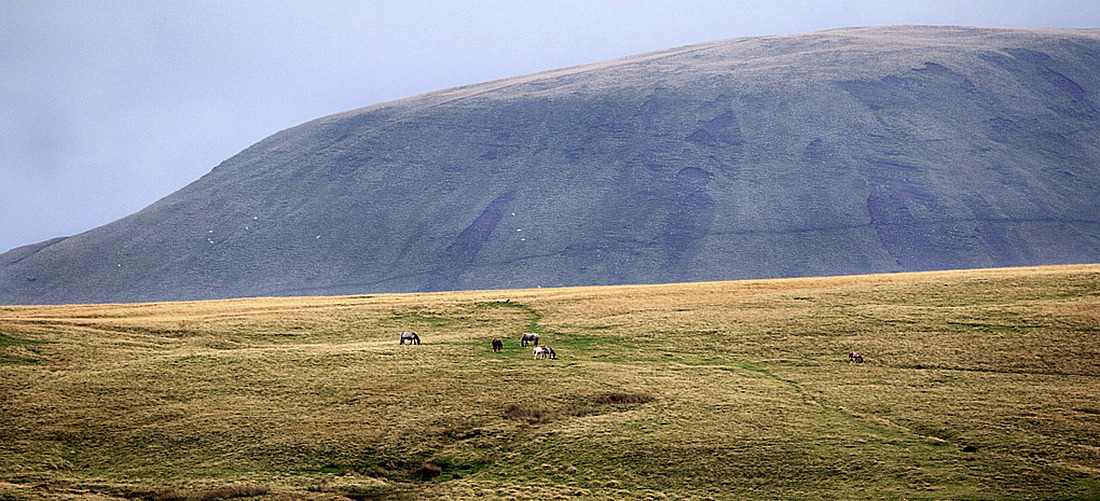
{"x": 977, "y": 385}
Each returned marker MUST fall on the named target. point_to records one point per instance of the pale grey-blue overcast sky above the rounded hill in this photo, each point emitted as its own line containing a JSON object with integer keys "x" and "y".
{"x": 108, "y": 106}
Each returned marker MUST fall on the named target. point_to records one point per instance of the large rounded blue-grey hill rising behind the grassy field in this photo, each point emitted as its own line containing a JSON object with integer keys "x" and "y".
{"x": 840, "y": 153}
